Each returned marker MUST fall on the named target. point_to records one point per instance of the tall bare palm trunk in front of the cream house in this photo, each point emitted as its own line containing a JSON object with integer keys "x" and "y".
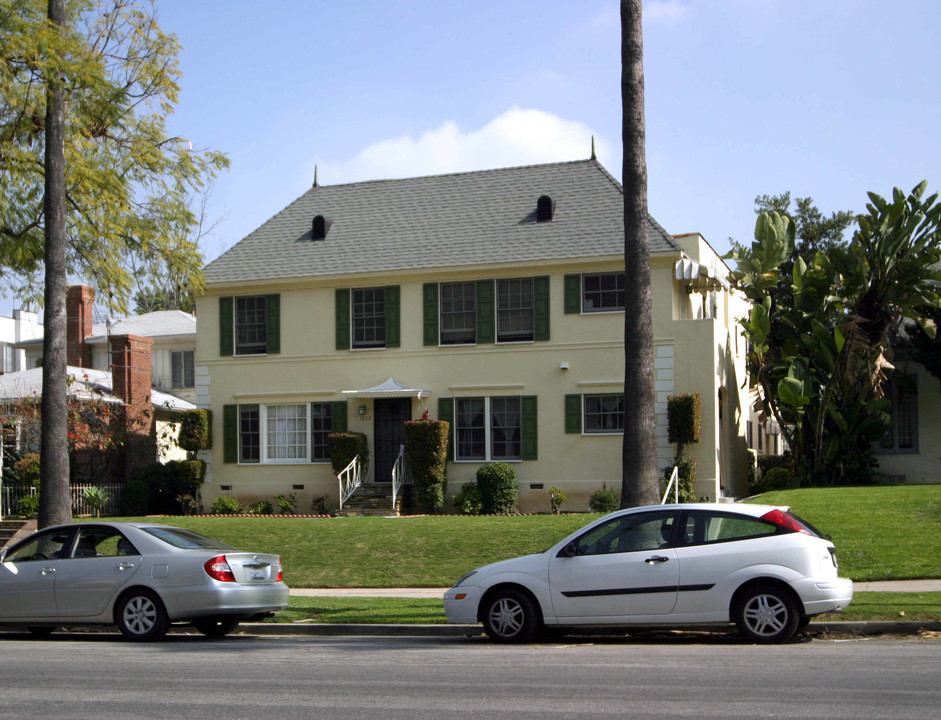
{"x": 639, "y": 482}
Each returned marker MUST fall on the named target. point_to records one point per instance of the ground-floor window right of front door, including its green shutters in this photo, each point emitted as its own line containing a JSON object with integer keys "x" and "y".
{"x": 490, "y": 429}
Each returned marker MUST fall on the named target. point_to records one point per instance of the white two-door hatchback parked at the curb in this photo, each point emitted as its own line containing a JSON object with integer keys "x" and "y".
{"x": 757, "y": 566}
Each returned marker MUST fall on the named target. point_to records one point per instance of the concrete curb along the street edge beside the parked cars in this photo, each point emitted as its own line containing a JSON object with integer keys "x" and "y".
{"x": 328, "y": 629}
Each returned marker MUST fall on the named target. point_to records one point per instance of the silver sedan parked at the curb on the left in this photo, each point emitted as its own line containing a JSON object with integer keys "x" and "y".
{"x": 140, "y": 577}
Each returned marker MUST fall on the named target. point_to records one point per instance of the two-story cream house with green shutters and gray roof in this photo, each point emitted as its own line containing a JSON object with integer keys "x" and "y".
{"x": 491, "y": 299}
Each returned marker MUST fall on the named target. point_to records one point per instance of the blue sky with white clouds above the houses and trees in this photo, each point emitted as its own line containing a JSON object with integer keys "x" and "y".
{"x": 823, "y": 98}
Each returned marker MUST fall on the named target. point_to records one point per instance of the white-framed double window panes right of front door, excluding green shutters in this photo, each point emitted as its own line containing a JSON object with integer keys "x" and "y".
{"x": 488, "y": 428}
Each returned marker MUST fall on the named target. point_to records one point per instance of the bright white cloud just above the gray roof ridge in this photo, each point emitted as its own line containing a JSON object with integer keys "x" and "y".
{"x": 517, "y": 137}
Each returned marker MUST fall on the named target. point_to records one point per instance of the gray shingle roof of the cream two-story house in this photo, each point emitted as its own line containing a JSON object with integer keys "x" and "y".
{"x": 473, "y": 218}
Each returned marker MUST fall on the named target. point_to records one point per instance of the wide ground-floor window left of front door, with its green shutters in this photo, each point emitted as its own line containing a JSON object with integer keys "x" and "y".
{"x": 281, "y": 434}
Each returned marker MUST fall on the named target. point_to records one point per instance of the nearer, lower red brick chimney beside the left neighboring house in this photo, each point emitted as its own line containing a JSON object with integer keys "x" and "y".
{"x": 131, "y": 378}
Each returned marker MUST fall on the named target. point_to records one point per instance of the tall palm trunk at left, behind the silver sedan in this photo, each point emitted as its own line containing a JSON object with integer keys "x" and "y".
{"x": 55, "y": 505}
